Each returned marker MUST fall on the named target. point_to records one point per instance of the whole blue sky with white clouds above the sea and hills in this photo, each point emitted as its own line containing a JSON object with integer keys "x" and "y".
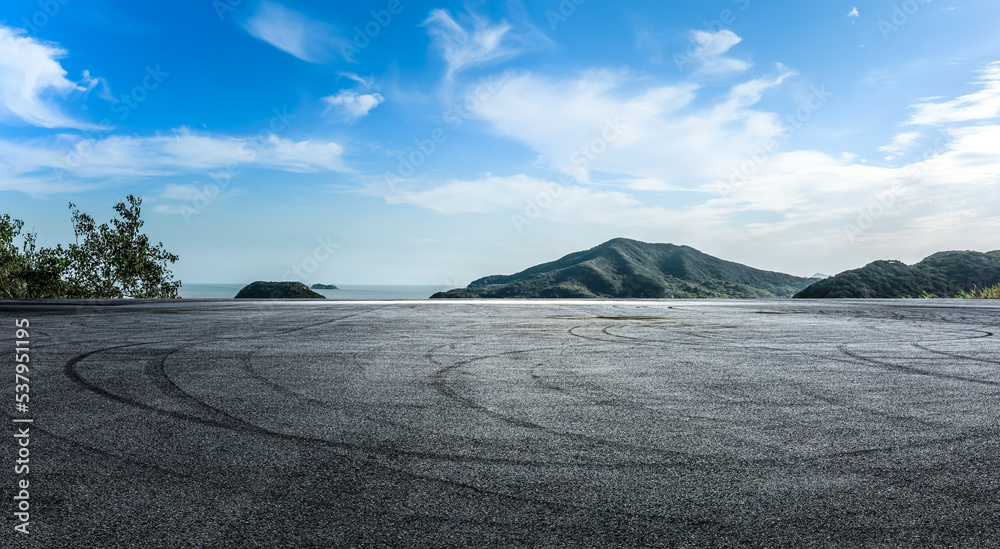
{"x": 403, "y": 142}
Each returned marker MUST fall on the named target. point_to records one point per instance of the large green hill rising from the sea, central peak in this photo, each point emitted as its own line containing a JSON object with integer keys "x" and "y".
{"x": 623, "y": 268}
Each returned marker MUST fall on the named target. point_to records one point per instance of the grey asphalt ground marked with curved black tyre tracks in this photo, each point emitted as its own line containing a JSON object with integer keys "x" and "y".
{"x": 569, "y": 424}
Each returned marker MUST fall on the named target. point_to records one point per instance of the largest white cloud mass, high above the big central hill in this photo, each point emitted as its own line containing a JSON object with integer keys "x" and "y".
{"x": 655, "y": 133}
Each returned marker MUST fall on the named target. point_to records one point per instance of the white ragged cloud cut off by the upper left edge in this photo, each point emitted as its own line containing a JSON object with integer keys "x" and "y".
{"x": 31, "y": 79}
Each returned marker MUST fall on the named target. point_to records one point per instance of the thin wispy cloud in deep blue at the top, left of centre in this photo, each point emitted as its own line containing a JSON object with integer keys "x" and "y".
{"x": 295, "y": 33}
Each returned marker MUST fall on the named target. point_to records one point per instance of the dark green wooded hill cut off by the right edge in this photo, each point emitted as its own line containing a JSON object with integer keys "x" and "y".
{"x": 943, "y": 274}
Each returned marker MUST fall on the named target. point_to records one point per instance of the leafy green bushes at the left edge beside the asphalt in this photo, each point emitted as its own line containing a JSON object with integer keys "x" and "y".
{"x": 107, "y": 261}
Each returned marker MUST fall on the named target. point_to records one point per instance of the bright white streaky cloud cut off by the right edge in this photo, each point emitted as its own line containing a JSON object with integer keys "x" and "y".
{"x": 981, "y": 105}
